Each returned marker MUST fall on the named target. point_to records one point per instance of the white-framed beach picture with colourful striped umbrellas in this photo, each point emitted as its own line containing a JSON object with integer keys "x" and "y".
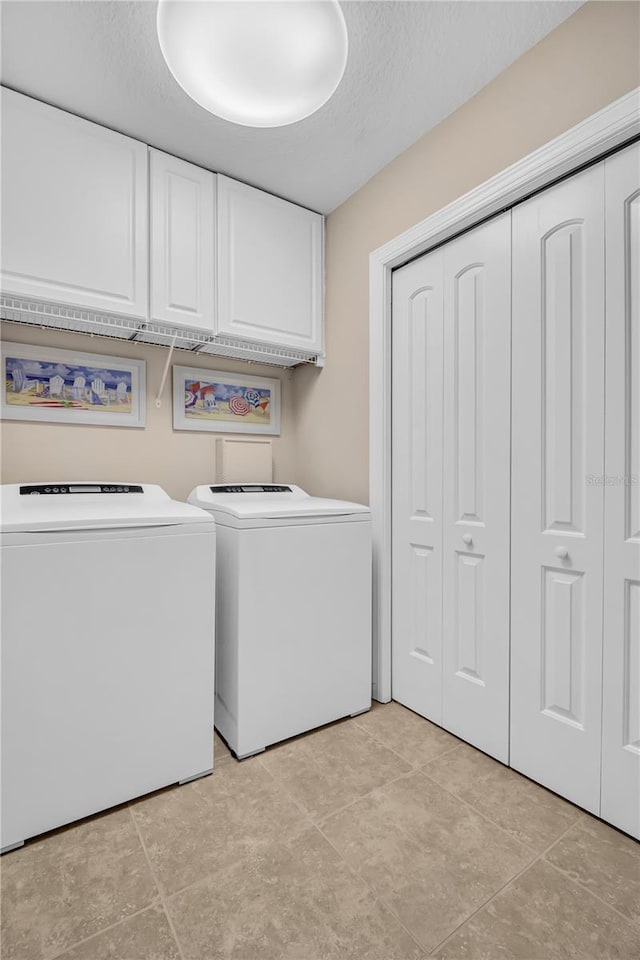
{"x": 222, "y": 402}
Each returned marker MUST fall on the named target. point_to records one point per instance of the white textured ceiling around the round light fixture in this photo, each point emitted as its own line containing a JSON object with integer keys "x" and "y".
{"x": 410, "y": 65}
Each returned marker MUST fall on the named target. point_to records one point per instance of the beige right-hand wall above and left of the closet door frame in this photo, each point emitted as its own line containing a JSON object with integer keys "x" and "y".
{"x": 590, "y": 60}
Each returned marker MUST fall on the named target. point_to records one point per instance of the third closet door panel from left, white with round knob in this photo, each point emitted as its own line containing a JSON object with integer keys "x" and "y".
{"x": 557, "y": 522}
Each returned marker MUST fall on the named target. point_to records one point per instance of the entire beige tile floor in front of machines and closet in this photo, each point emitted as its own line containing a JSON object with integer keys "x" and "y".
{"x": 382, "y": 837}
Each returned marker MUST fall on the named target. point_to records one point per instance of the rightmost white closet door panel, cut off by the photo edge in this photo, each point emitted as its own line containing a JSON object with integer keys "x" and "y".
{"x": 621, "y": 660}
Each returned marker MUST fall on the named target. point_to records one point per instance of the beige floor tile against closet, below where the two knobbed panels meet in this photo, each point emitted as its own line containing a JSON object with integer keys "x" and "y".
{"x": 529, "y": 812}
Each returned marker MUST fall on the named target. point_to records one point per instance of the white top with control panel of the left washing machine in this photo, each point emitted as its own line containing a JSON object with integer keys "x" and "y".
{"x": 37, "y": 507}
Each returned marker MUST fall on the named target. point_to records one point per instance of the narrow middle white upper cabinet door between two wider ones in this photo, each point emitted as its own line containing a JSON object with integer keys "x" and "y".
{"x": 182, "y": 242}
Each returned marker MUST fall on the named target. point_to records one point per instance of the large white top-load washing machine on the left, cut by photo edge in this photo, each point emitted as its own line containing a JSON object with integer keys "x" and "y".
{"x": 107, "y": 649}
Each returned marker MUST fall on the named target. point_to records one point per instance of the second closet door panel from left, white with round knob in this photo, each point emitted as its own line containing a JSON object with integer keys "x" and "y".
{"x": 477, "y": 374}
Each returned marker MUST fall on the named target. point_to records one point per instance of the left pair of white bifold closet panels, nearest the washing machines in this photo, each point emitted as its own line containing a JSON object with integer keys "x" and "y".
{"x": 450, "y": 526}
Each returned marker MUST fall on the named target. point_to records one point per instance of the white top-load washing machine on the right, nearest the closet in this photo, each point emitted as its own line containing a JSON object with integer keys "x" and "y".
{"x": 293, "y": 613}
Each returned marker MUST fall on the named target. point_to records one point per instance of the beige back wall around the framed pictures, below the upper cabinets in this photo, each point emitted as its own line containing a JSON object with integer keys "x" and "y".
{"x": 177, "y": 460}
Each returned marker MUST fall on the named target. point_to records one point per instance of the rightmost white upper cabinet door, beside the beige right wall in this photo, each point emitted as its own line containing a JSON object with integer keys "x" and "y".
{"x": 269, "y": 269}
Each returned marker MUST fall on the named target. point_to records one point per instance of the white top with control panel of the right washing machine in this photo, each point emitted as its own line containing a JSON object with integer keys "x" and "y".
{"x": 253, "y": 501}
